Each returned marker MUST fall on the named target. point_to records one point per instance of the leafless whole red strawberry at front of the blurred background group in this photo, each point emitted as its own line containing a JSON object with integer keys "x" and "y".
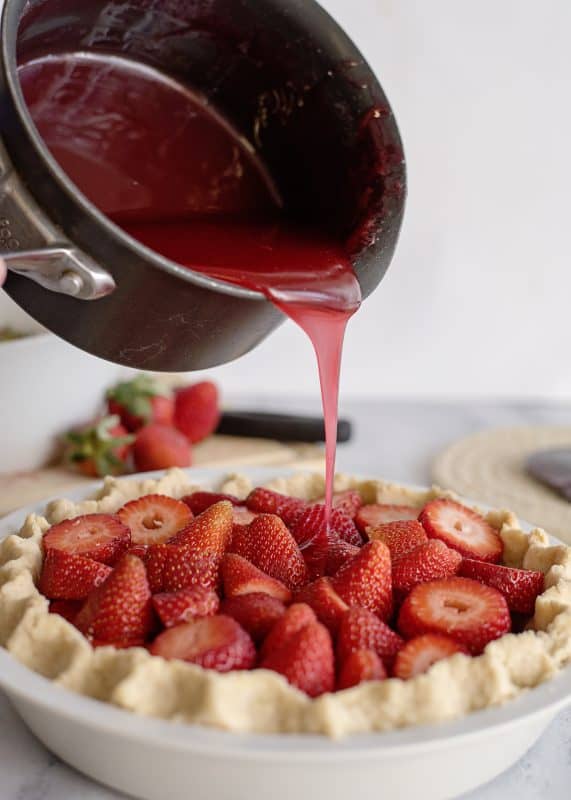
{"x": 160, "y": 447}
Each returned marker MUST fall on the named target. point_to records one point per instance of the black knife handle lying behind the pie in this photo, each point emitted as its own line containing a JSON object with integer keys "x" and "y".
{"x": 284, "y": 427}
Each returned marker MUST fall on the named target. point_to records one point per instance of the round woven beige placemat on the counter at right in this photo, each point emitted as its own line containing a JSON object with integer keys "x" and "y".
{"x": 490, "y": 467}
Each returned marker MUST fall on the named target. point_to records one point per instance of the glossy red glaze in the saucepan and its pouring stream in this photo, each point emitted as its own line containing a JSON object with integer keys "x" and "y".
{"x": 203, "y": 199}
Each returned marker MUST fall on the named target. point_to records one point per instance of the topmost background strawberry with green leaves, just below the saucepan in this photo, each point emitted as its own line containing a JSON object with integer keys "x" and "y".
{"x": 139, "y": 402}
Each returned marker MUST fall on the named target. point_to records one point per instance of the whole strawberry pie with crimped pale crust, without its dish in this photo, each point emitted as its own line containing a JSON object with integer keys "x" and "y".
{"x": 241, "y": 610}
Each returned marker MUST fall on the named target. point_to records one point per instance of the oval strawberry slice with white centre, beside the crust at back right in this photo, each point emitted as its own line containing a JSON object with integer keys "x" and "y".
{"x": 461, "y": 528}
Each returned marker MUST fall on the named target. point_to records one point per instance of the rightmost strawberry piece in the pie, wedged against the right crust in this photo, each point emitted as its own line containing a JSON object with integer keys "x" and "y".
{"x": 520, "y": 587}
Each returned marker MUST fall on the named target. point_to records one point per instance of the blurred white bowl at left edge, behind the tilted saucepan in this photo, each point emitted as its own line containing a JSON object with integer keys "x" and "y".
{"x": 46, "y": 387}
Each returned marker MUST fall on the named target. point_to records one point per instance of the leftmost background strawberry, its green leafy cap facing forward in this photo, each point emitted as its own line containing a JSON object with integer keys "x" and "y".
{"x": 99, "y": 449}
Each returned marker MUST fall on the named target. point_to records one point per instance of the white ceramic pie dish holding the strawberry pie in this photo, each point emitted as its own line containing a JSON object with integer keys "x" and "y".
{"x": 159, "y": 760}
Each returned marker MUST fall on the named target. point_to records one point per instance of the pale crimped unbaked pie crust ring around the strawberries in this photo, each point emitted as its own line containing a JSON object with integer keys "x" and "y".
{"x": 260, "y": 701}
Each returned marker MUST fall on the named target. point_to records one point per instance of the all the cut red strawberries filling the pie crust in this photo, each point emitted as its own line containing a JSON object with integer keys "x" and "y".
{"x": 268, "y": 585}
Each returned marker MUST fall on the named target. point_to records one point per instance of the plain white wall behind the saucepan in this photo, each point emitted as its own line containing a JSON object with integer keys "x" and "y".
{"x": 477, "y": 299}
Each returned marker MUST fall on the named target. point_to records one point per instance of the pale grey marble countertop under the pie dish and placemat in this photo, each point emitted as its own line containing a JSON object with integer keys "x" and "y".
{"x": 396, "y": 440}
